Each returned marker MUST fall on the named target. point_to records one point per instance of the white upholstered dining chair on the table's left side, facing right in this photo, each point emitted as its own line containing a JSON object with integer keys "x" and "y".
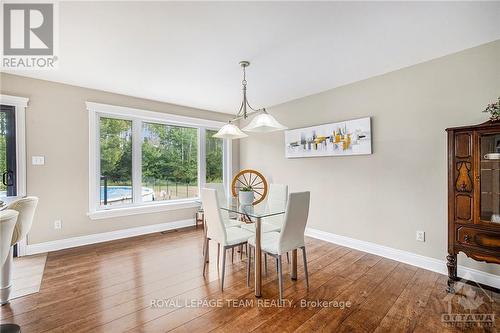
{"x": 227, "y": 237}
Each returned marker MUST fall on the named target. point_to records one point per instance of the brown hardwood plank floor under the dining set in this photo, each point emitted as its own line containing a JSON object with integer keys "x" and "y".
{"x": 153, "y": 283}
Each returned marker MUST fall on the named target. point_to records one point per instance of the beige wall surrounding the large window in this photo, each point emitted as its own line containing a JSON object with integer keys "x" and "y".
{"x": 57, "y": 128}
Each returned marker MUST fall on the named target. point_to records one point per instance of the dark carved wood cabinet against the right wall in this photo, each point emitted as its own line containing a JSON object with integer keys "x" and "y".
{"x": 473, "y": 195}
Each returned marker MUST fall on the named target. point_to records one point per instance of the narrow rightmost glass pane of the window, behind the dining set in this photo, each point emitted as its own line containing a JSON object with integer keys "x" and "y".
{"x": 214, "y": 161}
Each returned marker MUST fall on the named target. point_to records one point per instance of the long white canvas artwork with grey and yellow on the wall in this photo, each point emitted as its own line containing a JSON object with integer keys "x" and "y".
{"x": 351, "y": 137}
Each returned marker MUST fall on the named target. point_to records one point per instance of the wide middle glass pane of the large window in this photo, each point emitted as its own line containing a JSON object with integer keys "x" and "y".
{"x": 169, "y": 162}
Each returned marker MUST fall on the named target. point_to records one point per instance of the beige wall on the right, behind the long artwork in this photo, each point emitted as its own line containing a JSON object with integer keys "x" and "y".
{"x": 385, "y": 197}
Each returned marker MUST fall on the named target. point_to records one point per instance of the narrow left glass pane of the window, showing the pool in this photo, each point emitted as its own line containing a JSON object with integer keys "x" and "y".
{"x": 116, "y": 161}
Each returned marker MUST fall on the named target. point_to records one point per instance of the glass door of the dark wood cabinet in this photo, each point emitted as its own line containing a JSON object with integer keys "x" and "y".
{"x": 490, "y": 178}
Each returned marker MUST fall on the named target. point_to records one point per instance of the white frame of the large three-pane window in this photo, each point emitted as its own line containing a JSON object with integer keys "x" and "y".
{"x": 138, "y": 117}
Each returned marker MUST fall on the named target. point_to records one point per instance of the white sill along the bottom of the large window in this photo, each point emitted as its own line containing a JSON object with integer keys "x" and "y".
{"x": 143, "y": 209}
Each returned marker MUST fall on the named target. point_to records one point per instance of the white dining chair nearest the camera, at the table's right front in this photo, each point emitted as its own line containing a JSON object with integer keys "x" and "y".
{"x": 290, "y": 237}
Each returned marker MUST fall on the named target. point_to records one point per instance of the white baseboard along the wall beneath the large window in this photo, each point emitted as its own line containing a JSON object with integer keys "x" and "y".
{"x": 105, "y": 236}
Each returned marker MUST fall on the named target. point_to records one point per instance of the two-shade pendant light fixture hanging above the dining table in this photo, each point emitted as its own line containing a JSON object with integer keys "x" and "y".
{"x": 262, "y": 123}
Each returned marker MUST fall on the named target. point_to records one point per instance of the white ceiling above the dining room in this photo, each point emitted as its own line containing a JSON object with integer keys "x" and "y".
{"x": 188, "y": 53}
